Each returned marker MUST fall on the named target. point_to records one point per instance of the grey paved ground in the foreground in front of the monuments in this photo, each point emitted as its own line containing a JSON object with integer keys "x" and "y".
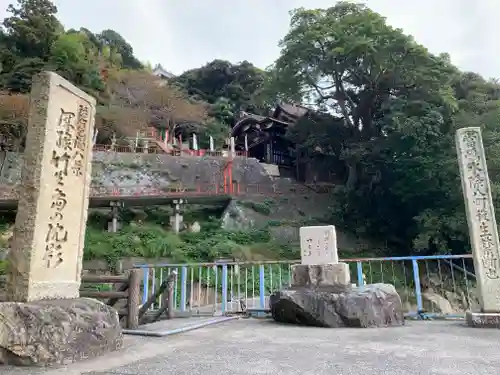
{"x": 252, "y": 346}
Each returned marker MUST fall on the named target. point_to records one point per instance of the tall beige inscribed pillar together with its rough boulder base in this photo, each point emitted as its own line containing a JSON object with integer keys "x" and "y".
{"x": 45, "y": 260}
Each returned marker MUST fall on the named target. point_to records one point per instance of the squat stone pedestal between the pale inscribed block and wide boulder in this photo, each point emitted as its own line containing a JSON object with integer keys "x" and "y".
{"x": 320, "y": 275}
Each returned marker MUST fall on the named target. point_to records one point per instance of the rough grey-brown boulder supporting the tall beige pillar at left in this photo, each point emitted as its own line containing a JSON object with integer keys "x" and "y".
{"x": 57, "y": 331}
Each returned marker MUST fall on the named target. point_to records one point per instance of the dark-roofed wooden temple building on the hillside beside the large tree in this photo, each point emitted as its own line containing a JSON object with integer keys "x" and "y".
{"x": 263, "y": 137}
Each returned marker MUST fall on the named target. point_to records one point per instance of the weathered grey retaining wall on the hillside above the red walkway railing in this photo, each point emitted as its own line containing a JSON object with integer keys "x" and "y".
{"x": 129, "y": 170}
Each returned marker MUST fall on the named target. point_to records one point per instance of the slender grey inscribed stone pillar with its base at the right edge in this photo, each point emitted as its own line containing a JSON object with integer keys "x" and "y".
{"x": 482, "y": 224}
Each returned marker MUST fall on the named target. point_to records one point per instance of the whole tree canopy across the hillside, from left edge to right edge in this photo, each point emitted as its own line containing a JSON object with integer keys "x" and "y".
{"x": 388, "y": 108}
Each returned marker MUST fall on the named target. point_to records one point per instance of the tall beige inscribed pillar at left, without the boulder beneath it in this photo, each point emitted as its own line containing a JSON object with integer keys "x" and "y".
{"x": 47, "y": 250}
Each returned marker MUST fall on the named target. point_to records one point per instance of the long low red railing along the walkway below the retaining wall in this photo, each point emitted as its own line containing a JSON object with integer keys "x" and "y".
{"x": 202, "y": 190}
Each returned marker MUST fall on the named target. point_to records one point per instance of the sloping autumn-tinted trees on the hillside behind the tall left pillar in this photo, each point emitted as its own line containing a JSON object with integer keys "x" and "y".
{"x": 103, "y": 64}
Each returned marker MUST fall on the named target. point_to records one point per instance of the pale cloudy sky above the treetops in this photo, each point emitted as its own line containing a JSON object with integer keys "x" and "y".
{"x": 186, "y": 34}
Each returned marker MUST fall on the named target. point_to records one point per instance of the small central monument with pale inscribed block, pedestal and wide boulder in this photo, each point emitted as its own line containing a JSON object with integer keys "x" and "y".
{"x": 321, "y": 293}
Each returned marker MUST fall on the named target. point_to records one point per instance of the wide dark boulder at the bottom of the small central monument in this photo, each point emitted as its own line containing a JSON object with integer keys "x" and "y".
{"x": 374, "y": 305}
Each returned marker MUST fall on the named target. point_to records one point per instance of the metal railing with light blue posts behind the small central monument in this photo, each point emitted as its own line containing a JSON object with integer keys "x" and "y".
{"x": 220, "y": 288}
